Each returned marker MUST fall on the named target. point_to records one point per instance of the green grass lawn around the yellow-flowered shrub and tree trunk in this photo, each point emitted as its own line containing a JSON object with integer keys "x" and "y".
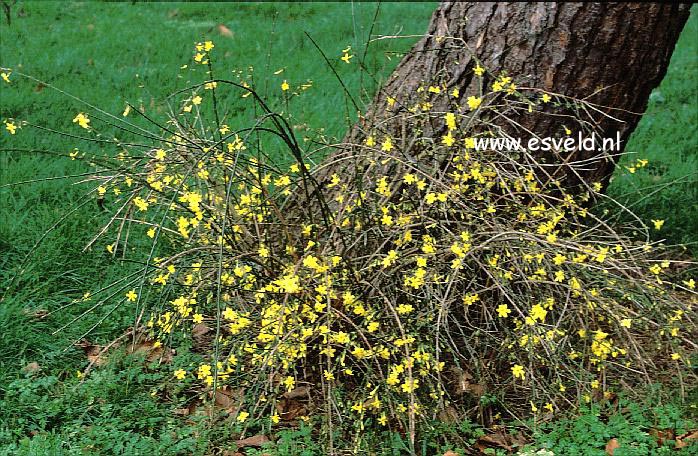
{"x": 108, "y": 54}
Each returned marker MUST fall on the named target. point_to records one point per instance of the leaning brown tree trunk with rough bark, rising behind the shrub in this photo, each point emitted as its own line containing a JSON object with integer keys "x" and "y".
{"x": 611, "y": 54}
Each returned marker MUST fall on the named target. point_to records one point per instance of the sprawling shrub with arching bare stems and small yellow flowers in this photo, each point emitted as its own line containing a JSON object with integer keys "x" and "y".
{"x": 384, "y": 288}
